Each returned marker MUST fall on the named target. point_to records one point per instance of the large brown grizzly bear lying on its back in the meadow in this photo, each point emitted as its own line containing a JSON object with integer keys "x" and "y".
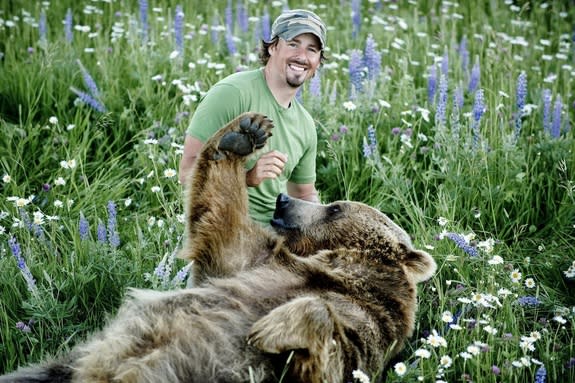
{"x": 331, "y": 289}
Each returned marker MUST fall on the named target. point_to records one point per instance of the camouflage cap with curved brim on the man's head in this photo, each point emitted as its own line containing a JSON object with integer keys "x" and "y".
{"x": 297, "y": 21}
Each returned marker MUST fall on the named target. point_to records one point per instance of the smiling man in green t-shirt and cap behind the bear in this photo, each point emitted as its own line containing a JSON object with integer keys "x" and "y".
{"x": 291, "y": 57}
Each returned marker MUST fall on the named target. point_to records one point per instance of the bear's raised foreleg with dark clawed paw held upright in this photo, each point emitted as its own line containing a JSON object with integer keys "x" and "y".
{"x": 219, "y": 231}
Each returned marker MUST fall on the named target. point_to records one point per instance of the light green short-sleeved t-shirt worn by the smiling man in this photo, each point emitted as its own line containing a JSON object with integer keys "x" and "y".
{"x": 294, "y": 133}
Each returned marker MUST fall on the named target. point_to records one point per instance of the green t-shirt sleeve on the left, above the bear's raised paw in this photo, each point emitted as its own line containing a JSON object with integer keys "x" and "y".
{"x": 219, "y": 106}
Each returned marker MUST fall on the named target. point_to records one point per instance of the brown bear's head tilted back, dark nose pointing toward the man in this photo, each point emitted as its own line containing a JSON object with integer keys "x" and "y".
{"x": 310, "y": 227}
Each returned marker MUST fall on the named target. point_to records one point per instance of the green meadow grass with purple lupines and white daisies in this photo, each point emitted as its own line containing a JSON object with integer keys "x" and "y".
{"x": 91, "y": 203}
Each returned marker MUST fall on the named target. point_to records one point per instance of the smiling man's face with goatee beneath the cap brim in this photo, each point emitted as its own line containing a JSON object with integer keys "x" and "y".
{"x": 295, "y": 60}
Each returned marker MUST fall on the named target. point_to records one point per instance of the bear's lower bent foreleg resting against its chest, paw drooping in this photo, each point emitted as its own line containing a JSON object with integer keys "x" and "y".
{"x": 308, "y": 324}
